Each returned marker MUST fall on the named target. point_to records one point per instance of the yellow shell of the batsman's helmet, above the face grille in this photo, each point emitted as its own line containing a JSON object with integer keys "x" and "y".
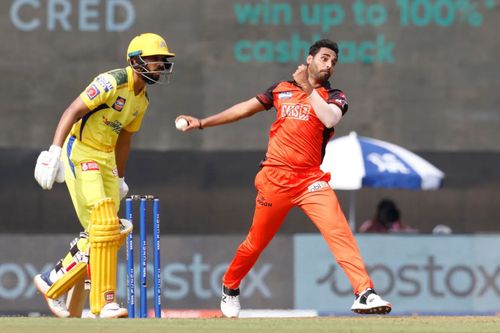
{"x": 148, "y": 44}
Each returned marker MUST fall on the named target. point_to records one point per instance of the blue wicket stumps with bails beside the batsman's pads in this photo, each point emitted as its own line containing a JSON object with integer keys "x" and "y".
{"x": 143, "y": 203}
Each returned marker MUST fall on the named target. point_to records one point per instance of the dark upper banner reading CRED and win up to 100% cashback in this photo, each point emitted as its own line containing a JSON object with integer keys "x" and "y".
{"x": 396, "y": 57}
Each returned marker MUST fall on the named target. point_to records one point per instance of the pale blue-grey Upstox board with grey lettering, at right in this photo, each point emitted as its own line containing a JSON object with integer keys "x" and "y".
{"x": 417, "y": 274}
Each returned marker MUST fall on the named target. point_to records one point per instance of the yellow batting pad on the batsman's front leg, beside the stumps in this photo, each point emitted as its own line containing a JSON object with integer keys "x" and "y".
{"x": 104, "y": 238}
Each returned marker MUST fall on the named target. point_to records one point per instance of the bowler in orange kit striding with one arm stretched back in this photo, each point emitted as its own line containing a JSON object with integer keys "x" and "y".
{"x": 307, "y": 109}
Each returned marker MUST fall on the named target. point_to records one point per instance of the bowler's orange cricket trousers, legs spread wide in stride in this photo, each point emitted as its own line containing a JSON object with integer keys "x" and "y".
{"x": 278, "y": 190}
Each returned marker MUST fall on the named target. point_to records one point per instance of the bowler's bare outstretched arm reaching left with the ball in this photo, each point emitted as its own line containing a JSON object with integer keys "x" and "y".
{"x": 234, "y": 113}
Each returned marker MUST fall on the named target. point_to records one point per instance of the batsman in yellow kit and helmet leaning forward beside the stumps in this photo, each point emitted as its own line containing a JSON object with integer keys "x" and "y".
{"x": 89, "y": 152}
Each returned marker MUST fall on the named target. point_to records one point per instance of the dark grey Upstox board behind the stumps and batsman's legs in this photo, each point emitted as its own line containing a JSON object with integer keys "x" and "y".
{"x": 191, "y": 272}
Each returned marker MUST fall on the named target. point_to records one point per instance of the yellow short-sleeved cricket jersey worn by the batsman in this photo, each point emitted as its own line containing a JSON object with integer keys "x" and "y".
{"x": 114, "y": 106}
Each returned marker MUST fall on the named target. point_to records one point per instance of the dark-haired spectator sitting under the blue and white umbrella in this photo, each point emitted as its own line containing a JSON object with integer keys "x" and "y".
{"x": 387, "y": 219}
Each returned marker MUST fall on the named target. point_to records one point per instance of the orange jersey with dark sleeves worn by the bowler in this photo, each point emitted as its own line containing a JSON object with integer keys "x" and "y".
{"x": 297, "y": 137}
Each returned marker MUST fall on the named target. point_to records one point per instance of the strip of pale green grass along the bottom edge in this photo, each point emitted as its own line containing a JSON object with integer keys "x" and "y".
{"x": 325, "y": 324}
